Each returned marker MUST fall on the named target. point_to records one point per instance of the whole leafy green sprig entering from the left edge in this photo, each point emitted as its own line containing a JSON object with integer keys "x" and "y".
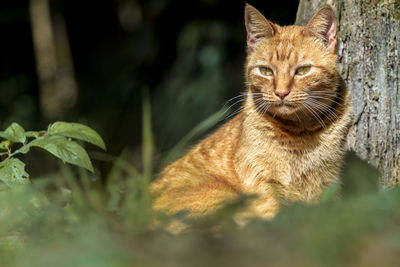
{"x": 56, "y": 140}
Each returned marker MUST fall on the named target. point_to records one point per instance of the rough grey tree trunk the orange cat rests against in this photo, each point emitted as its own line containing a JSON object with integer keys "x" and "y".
{"x": 369, "y": 63}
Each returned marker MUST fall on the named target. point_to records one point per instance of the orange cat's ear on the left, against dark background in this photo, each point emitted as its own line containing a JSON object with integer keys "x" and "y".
{"x": 257, "y": 26}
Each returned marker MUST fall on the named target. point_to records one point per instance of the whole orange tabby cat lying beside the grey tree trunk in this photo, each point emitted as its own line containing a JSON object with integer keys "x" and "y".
{"x": 287, "y": 143}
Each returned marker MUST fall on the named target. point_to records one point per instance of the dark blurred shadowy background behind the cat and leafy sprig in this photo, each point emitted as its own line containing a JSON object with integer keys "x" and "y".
{"x": 188, "y": 54}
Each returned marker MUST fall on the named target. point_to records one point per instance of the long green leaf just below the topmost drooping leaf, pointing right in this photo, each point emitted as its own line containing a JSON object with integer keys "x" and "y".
{"x": 64, "y": 149}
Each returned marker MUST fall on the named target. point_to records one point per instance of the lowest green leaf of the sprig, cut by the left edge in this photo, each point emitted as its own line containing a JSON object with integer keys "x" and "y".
{"x": 12, "y": 172}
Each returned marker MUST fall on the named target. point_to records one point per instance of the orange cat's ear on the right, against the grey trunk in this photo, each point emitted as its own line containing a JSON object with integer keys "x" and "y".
{"x": 323, "y": 25}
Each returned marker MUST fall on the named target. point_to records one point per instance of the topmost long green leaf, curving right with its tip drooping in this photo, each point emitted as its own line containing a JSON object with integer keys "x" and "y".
{"x": 77, "y": 131}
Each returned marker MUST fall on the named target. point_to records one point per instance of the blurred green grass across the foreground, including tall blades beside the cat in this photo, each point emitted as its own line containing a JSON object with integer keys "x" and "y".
{"x": 71, "y": 218}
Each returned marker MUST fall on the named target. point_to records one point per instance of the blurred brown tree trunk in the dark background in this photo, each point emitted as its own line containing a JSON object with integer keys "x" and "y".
{"x": 58, "y": 88}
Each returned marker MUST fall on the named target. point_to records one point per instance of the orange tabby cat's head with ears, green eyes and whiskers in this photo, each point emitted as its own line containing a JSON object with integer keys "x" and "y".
{"x": 292, "y": 70}
